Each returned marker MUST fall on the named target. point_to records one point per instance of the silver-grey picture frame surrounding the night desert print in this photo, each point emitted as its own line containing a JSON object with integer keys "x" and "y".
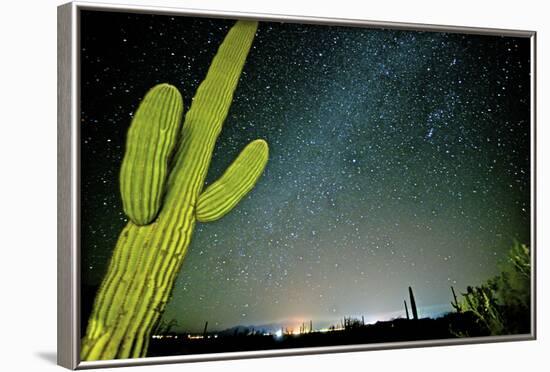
{"x": 68, "y": 181}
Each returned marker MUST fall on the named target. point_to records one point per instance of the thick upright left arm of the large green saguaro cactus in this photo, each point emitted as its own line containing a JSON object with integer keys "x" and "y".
{"x": 151, "y": 138}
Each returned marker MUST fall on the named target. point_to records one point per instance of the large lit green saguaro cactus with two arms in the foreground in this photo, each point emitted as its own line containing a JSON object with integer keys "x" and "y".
{"x": 163, "y": 198}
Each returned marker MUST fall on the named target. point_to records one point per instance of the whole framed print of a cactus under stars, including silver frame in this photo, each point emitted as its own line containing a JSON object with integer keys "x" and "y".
{"x": 239, "y": 185}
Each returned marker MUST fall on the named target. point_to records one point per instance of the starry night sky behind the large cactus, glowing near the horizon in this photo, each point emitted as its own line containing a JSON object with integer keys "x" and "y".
{"x": 397, "y": 158}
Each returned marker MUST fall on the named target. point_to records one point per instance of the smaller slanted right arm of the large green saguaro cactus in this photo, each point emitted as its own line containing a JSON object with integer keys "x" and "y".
{"x": 241, "y": 176}
